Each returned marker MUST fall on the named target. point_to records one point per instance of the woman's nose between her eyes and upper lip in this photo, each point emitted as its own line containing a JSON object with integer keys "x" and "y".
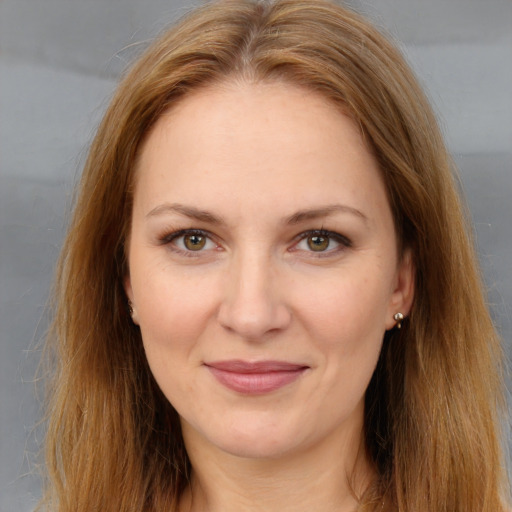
{"x": 253, "y": 304}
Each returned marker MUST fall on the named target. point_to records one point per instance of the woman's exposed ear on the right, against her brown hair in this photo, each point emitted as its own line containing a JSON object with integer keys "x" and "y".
{"x": 403, "y": 294}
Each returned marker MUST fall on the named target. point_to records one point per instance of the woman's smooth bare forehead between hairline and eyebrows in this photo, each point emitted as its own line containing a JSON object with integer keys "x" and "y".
{"x": 251, "y": 145}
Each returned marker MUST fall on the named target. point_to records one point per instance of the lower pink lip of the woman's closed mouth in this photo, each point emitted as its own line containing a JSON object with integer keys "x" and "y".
{"x": 256, "y": 383}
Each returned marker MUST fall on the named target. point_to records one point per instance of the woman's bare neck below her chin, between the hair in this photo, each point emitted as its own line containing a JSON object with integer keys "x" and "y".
{"x": 316, "y": 478}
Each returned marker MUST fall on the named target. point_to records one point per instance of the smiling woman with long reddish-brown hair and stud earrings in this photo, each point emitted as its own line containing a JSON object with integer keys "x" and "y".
{"x": 268, "y": 298}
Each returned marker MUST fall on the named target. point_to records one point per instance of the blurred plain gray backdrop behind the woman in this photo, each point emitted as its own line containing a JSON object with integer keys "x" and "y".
{"x": 58, "y": 63}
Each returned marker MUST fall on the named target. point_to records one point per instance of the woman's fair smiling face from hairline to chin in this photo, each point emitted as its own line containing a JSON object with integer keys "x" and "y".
{"x": 263, "y": 268}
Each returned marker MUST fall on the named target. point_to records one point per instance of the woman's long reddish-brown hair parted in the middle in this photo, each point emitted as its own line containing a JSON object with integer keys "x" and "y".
{"x": 433, "y": 406}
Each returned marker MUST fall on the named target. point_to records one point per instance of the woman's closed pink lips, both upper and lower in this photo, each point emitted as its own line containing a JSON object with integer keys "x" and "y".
{"x": 255, "y": 378}
